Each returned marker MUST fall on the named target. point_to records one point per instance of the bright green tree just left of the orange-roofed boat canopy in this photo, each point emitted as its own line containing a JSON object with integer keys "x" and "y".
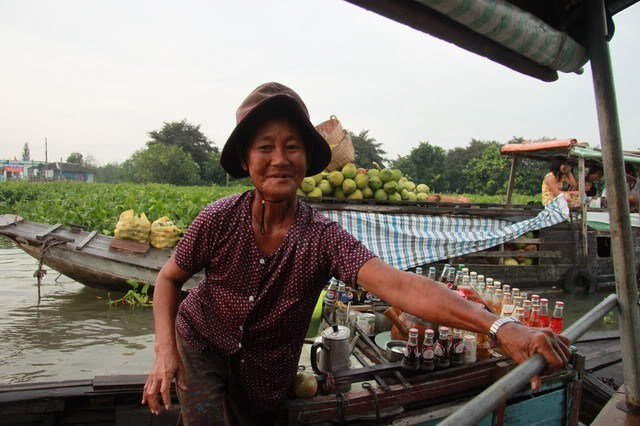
{"x": 489, "y": 173}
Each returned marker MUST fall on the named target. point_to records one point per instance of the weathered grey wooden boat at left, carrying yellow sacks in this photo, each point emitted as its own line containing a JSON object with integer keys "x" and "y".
{"x": 87, "y": 257}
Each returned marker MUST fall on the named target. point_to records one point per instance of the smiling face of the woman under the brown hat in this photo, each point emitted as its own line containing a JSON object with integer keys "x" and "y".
{"x": 276, "y": 160}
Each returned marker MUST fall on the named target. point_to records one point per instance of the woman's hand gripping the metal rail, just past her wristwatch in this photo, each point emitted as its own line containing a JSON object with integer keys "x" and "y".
{"x": 520, "y": 342}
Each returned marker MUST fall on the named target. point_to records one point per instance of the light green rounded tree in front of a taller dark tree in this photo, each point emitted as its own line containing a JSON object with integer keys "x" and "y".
{"x": 163, "y": 164}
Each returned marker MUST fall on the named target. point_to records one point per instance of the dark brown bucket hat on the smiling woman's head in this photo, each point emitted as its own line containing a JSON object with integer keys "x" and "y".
{"x": 276, "y": 97}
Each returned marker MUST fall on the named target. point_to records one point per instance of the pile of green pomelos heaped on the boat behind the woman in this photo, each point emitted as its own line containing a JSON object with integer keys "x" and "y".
{"x": 361, "y": 184}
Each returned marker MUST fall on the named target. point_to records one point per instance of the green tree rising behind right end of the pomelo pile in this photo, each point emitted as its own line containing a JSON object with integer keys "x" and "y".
{"x": 426, "y": 164}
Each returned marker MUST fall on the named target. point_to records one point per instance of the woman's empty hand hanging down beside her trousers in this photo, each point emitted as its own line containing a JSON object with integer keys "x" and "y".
{"x": 157, "y": 390}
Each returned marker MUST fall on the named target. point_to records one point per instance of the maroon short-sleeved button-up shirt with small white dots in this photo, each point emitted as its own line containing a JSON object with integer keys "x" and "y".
{"x": 257, "y": 308}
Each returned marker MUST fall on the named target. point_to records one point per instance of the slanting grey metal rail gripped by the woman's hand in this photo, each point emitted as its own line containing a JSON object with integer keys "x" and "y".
{"x": 487, "y": 401}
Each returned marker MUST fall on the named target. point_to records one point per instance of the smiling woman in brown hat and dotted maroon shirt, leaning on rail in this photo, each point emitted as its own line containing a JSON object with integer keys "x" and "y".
{"x": 234, "y": 343}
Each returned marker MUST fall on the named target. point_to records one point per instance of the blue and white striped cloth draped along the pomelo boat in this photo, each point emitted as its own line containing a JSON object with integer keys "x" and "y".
{"x": 409, "y": 240}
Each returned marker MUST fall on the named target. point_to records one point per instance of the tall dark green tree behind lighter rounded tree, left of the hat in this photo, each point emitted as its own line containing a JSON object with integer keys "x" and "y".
{"x": 187, "y": 137}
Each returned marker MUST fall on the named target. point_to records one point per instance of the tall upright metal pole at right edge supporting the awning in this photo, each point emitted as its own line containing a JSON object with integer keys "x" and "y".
{"x": 617, "y": 194}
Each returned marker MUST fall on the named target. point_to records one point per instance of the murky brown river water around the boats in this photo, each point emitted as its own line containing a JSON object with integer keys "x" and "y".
{"x": 73, "y": 333}
